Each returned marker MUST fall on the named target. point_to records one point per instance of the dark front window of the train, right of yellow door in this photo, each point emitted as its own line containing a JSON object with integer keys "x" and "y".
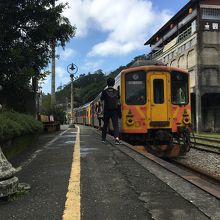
{"x": 179, "y": 88}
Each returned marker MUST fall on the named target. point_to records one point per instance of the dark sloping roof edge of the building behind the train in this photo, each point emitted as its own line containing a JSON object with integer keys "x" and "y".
{"x": 174, "y": 20}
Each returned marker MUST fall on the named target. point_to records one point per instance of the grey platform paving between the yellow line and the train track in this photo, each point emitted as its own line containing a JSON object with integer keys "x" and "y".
{"x": 125, "y": 185}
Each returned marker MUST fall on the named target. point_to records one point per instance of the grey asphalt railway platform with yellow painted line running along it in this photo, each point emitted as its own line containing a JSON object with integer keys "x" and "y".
{"x": 73, "y": 175}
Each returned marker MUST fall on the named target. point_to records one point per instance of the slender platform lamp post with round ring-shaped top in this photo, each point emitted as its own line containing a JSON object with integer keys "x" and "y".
{"x": 72, "y": 69}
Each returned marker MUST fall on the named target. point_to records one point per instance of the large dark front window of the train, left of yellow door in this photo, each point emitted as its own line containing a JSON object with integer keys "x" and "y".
{"x": 135, "y": 88}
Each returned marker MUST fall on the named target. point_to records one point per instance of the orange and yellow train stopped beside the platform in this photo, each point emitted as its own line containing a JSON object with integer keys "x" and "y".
{"x": 155, "y": 106}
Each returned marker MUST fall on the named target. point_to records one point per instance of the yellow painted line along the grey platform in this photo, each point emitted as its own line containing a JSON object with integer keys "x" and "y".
{"x": 72, "y": 205}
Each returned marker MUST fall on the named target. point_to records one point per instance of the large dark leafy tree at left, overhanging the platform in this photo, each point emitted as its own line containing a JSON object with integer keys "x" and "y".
{"x": 28, "y": 27}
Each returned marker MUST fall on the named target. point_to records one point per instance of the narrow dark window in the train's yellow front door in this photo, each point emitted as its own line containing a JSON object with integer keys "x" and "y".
{"x": 158, "y": 91}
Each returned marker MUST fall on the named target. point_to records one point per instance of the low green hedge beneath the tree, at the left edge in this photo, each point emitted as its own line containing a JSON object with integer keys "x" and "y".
{"x": 13, "y": 124}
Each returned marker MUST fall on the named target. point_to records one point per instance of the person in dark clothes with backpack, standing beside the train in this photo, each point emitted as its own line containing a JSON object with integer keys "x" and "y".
{"x": 110, "y": 97}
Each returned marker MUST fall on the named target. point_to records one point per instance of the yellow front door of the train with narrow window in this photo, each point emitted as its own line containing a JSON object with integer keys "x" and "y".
{"x": 159, "y": 112}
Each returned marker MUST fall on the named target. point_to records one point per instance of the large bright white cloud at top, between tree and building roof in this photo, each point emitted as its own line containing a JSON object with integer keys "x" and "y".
{"x": 127, "y": 24}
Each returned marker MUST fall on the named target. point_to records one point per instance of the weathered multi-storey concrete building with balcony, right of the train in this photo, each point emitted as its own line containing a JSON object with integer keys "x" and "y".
{"x": 191, "y": 40}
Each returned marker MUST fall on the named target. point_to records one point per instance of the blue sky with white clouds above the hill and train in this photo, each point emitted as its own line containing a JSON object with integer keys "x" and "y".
{"x": 109, "y": 34}
